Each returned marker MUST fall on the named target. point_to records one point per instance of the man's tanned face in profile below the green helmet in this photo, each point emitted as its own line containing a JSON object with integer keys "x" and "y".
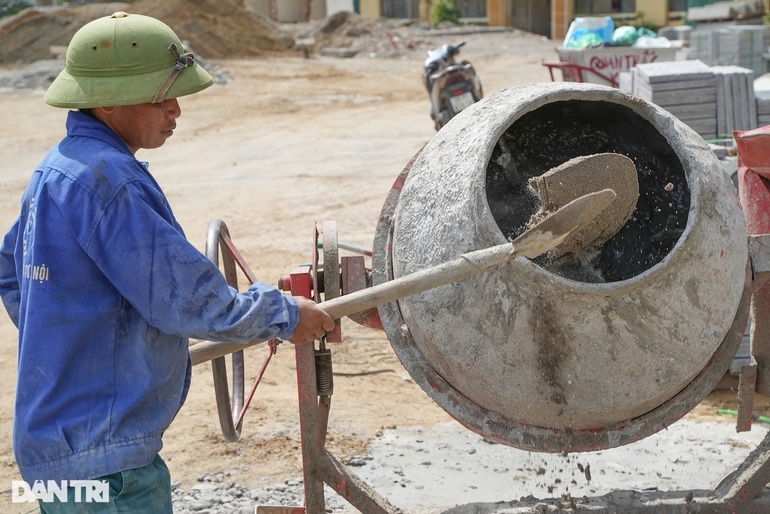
{"x": 142, "y": 125}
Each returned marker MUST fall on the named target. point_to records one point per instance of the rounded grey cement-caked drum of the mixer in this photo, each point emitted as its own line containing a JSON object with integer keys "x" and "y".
{"x": 593, "y": 352}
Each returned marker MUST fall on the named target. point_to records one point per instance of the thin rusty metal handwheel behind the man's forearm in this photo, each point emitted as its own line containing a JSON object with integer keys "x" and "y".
{"x": 228, "y": 408}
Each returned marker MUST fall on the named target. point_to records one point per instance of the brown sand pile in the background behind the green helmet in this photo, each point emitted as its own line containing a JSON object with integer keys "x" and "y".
{"x": 216, "y": 29}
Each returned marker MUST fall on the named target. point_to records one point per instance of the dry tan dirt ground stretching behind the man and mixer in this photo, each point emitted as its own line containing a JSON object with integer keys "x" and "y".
{"x": 286, "y": 143}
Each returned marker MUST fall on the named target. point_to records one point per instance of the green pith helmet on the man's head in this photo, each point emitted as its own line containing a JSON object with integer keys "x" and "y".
{"x": 125, "y": 59}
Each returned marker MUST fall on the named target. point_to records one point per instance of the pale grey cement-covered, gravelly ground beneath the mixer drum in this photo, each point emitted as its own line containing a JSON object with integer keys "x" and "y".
{"x": 446, "y": 468}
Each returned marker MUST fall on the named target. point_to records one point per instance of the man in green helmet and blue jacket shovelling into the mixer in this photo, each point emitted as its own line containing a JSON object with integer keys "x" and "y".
{"x": 105, "y": 289}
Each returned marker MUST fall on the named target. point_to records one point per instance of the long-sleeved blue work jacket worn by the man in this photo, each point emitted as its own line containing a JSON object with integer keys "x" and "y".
{"x": 106, "y": 290}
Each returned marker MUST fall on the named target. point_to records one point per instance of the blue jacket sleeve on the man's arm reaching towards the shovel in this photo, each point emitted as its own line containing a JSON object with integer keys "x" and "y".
{"x": 144, "y": 253}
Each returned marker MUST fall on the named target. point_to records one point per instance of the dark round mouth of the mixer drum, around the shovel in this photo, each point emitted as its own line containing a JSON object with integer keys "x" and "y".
{"x": 557, "y": 132}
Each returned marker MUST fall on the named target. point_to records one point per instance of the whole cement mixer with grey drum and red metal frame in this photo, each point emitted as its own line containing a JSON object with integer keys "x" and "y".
{"x": 593, "y": 345}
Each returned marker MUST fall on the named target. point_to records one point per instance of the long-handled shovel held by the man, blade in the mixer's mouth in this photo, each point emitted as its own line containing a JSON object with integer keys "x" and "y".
{"x": 536, "y": 241}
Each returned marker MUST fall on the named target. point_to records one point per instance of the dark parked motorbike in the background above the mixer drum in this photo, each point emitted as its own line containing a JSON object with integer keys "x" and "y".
{"x": 452, "y": 85}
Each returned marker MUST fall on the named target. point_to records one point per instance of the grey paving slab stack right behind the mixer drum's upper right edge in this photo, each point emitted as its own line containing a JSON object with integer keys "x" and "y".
{"x": 712, "y": 100}
